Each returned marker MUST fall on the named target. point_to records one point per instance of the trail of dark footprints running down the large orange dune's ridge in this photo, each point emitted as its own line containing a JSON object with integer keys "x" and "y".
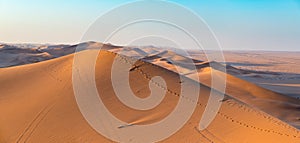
{"x": 147, "y": 76}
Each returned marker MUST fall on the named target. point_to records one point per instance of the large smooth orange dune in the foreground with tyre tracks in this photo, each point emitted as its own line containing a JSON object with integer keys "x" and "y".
{"x": 37, "y": 104}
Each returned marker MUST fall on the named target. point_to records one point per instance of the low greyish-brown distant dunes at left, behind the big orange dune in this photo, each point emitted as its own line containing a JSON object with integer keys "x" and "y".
{"x": 21, "y": 54}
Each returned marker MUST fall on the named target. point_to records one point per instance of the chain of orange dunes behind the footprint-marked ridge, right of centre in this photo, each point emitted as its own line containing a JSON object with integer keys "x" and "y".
{"x": 268, "y": 101}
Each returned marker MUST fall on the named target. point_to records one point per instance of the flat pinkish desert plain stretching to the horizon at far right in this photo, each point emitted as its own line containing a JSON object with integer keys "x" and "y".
{"x": 265, "y": 68}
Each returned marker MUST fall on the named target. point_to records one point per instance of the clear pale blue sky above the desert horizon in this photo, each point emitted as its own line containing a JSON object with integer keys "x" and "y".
{"x": 238, "y": 24}
